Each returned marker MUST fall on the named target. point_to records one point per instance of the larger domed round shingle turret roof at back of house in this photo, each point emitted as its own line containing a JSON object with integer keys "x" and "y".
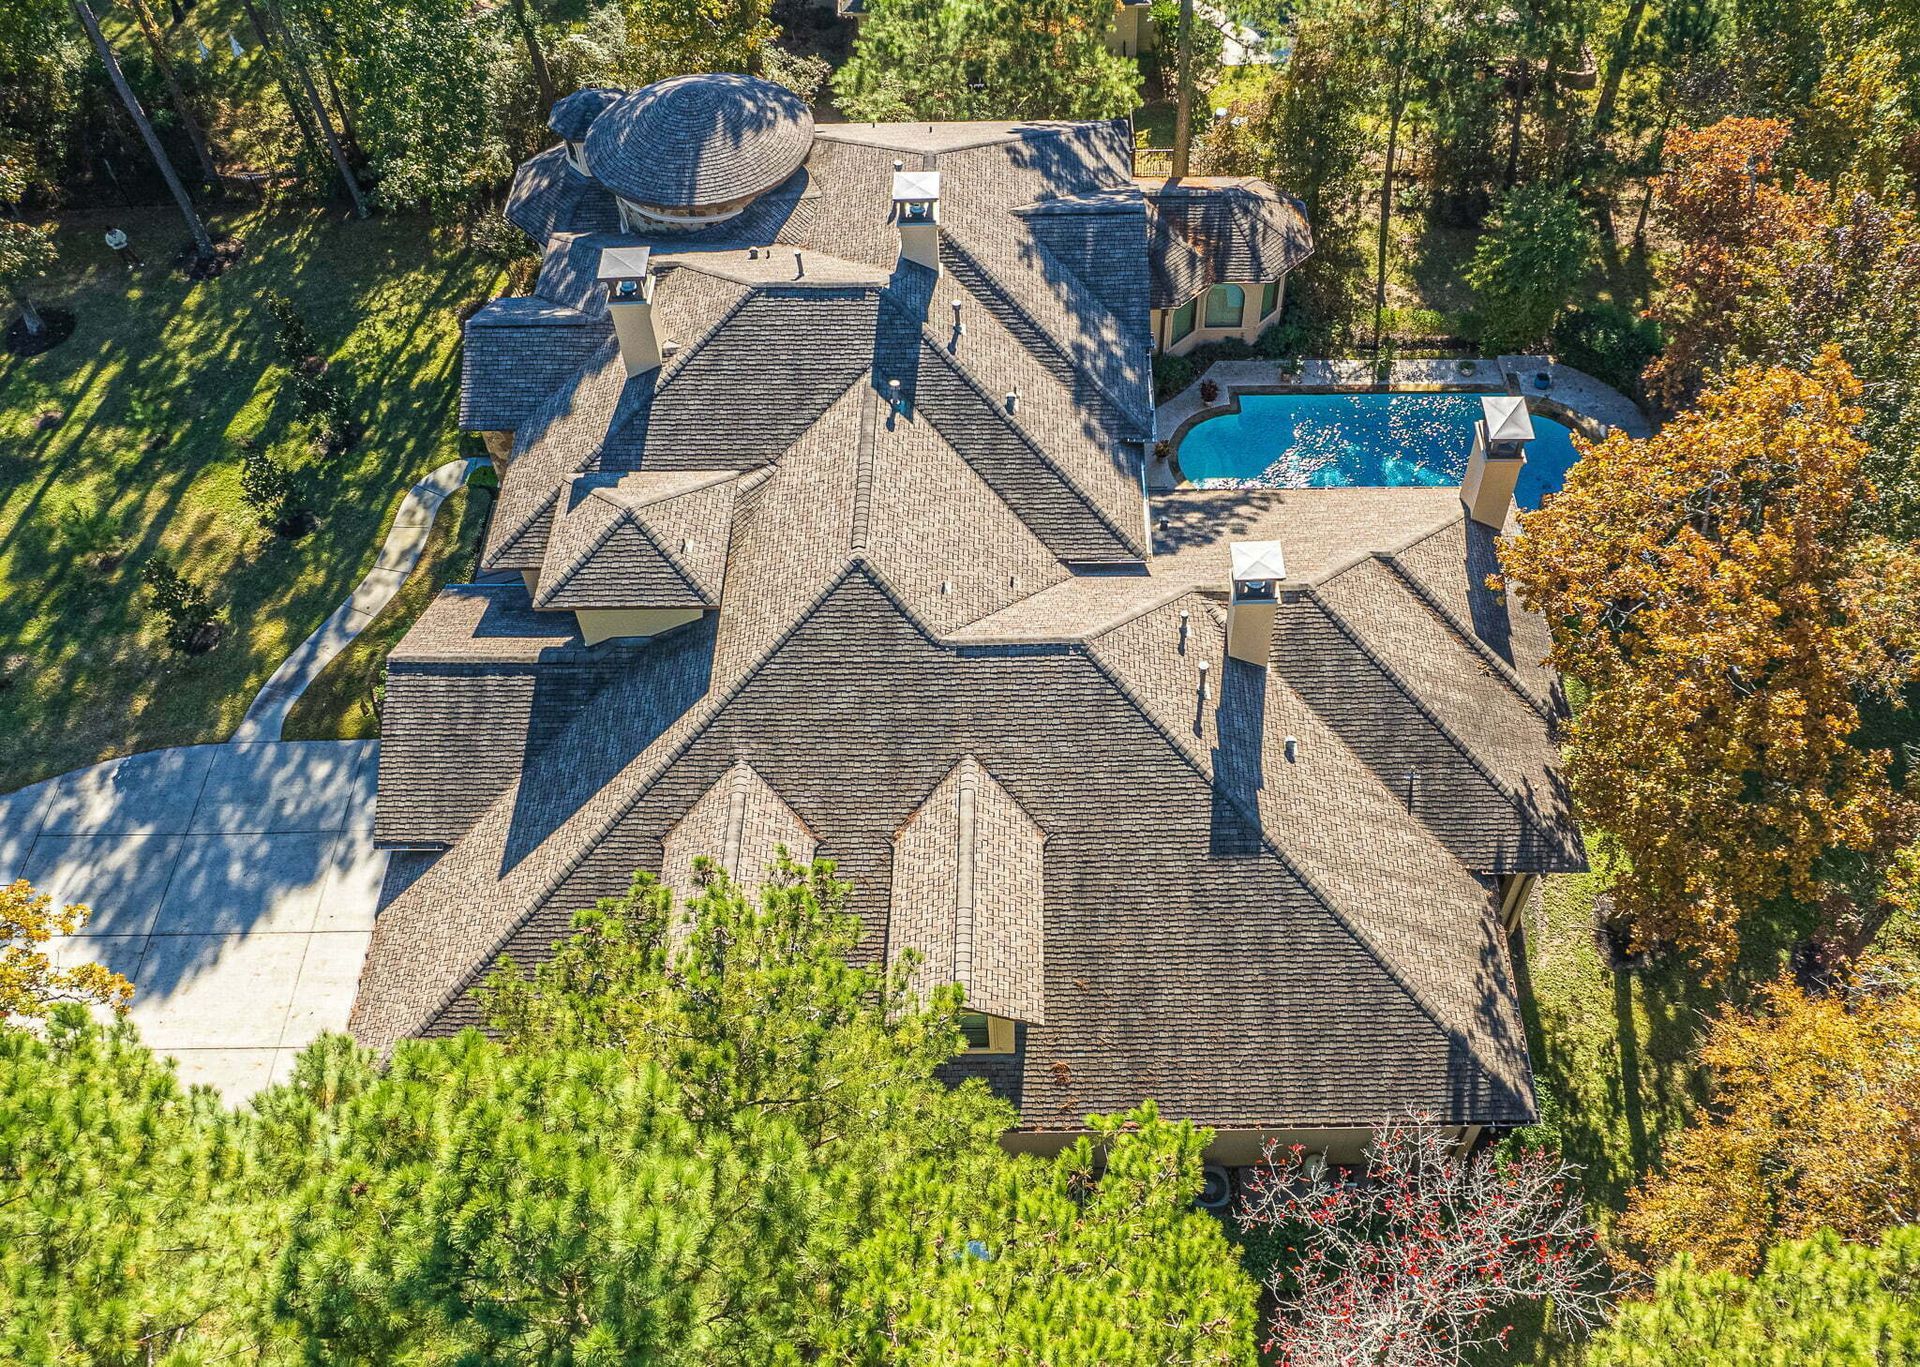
{"x": 700, "y": 141}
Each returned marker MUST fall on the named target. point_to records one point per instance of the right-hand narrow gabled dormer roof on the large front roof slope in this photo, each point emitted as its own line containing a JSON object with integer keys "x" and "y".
{"x": 969, "y": 896}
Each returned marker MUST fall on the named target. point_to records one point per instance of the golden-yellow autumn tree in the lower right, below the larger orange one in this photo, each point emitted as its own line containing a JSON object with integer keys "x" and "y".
{"x": 1815, "y": 1124}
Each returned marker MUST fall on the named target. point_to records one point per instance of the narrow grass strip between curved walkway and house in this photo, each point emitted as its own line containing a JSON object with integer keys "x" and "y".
{"x": 341, "y": 702}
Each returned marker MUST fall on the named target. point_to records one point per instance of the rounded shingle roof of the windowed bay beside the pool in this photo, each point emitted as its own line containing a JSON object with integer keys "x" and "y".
{"x": 1220, "y": 229}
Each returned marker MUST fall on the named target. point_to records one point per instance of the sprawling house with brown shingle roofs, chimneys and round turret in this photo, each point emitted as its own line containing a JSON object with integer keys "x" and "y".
{"x": 823, "y": 523}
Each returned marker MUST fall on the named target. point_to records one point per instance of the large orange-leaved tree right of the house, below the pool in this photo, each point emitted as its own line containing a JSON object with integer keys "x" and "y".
{"x": 1717, "y": 592}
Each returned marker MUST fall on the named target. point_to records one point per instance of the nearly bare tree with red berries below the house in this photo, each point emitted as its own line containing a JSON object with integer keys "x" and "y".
{"x": 1412, "y": 1260}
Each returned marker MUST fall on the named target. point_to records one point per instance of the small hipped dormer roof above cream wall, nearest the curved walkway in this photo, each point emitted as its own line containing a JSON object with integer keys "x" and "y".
{"x": 640, "y": 540}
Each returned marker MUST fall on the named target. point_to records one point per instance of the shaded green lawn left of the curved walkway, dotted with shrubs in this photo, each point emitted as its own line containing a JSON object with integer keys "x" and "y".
{"x": 139, "y": 414}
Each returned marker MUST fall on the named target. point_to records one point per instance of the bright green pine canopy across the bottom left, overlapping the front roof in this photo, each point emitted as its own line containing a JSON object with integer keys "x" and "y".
{"x": 692, "y": 1136}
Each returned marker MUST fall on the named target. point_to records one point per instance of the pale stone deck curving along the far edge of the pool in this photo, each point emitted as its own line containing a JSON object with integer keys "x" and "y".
{"x": 1572, "y": 395}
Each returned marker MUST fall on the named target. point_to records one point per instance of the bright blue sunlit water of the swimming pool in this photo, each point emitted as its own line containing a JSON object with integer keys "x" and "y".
{"x": 1332, "y": 441}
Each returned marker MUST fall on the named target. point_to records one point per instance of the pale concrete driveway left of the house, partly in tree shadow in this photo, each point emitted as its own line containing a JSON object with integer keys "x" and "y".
{"x": 235, "y": 886}
